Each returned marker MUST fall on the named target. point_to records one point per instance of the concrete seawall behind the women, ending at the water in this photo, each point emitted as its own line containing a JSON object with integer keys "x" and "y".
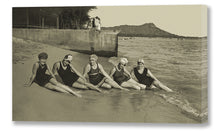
{"x": 104, "y": 43}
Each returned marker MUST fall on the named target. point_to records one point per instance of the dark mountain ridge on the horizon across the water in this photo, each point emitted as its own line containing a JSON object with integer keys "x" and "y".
{"x": 145, "y": 30}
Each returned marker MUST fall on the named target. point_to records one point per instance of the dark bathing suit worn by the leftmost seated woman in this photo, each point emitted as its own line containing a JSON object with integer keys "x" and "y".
{"x": 41, "y": 77}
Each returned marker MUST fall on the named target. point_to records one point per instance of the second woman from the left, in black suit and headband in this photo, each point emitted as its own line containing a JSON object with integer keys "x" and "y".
{"x": 70, "y": 76}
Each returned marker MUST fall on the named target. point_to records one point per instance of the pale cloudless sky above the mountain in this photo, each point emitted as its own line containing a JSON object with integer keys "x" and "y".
{"x": 185, "y": 20}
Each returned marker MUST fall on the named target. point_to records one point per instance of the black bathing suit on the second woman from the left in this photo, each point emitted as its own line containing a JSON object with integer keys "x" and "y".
{"x": 68, "y": 77}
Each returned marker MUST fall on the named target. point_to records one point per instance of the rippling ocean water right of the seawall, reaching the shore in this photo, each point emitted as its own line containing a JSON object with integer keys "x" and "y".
{"x": 181, "y": 64}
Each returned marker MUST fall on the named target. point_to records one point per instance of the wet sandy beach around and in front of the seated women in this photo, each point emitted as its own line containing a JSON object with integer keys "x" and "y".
{"x": 39, "y": 104}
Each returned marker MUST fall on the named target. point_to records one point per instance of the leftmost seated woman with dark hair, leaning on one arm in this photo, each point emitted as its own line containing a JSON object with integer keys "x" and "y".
{"x": 40, "y": 77}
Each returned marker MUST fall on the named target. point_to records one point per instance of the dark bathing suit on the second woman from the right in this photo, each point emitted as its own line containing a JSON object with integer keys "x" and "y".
{"x": 120, "y": 76}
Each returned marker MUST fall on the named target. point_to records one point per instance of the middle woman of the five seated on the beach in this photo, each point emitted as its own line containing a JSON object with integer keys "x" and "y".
{"x": 97, "y": 75}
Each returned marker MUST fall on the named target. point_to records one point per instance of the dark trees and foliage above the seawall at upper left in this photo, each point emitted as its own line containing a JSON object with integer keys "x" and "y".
{"x": 51, "y": 17}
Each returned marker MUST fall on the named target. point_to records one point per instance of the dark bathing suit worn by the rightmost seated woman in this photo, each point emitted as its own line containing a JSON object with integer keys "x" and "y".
{"x": 143, "y": 78}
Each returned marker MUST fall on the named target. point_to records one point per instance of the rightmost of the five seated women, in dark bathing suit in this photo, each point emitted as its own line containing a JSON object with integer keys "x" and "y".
{"x": 144, "y": 76}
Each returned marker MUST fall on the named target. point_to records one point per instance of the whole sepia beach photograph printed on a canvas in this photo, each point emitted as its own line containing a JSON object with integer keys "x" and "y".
{"x": 130, "y": 64}
